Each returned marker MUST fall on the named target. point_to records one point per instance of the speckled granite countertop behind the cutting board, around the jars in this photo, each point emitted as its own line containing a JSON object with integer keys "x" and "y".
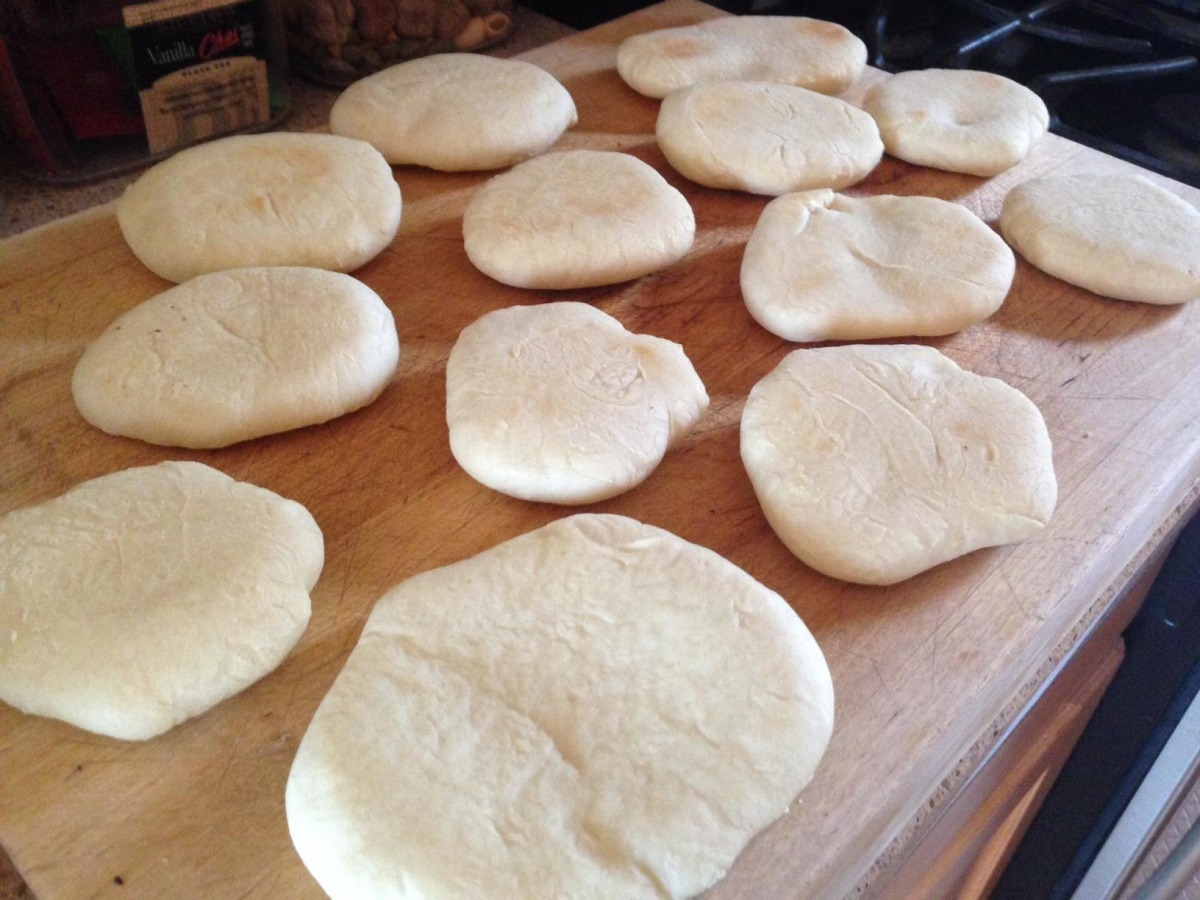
{"x": 26, "y": 203}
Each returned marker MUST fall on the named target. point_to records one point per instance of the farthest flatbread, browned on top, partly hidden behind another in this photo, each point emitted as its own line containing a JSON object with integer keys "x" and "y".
{"x": 789, "y": 50}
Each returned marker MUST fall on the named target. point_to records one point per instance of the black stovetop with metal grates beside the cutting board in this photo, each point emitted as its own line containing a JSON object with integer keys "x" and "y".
{"x": 1123, "y": 77}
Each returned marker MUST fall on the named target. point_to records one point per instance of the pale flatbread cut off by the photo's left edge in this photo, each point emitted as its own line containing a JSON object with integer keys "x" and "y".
{"x": 146, "y": 597}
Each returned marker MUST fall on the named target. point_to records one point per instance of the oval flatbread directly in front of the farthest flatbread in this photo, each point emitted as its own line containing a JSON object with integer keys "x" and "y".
{"x": 766, "y": 139}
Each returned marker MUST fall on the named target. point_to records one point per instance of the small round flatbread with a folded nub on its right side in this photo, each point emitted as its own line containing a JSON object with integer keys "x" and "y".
{"x": 560, "y": 404}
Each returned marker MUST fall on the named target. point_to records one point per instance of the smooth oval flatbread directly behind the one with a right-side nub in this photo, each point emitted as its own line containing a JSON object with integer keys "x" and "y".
{"x": 577, "y": 219}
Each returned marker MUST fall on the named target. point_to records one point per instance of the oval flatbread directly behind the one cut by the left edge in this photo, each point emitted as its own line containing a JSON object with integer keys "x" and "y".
{"x": 238, "y": 355}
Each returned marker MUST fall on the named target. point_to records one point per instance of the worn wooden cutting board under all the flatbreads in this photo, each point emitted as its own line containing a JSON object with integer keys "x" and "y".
{"x": 922, "y": 670}
